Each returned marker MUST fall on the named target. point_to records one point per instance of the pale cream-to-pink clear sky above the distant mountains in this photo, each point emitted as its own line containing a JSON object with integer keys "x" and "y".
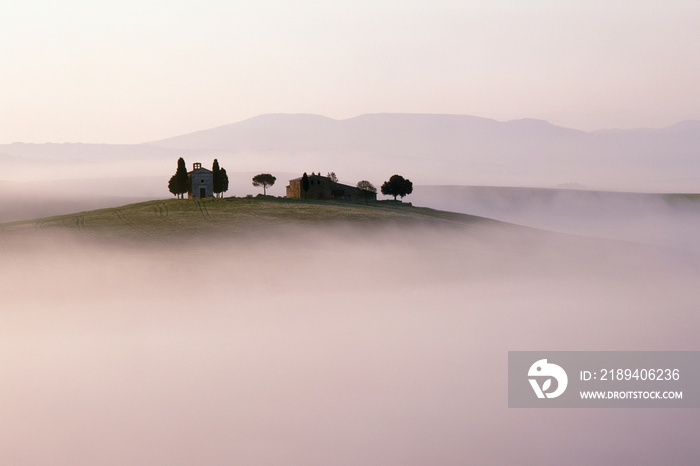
{"x": 132, "y": 71}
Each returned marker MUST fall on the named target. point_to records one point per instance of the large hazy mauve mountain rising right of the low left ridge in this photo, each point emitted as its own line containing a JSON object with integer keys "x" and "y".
{"x": 463, "y": 149}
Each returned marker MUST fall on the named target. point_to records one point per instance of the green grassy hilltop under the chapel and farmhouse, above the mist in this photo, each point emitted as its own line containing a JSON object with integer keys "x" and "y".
{"x": 175, "y": 220}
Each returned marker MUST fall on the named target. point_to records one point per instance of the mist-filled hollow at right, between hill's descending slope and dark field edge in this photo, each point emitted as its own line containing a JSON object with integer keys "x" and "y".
{"x": 669, "y": 220}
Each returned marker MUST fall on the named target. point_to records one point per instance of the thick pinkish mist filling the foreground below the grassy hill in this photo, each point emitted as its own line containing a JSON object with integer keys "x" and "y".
{"x": 335, "y": 346}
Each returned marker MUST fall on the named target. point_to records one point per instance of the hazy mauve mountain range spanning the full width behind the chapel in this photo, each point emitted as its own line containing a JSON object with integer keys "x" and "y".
{"x": 426, "y": 148}
